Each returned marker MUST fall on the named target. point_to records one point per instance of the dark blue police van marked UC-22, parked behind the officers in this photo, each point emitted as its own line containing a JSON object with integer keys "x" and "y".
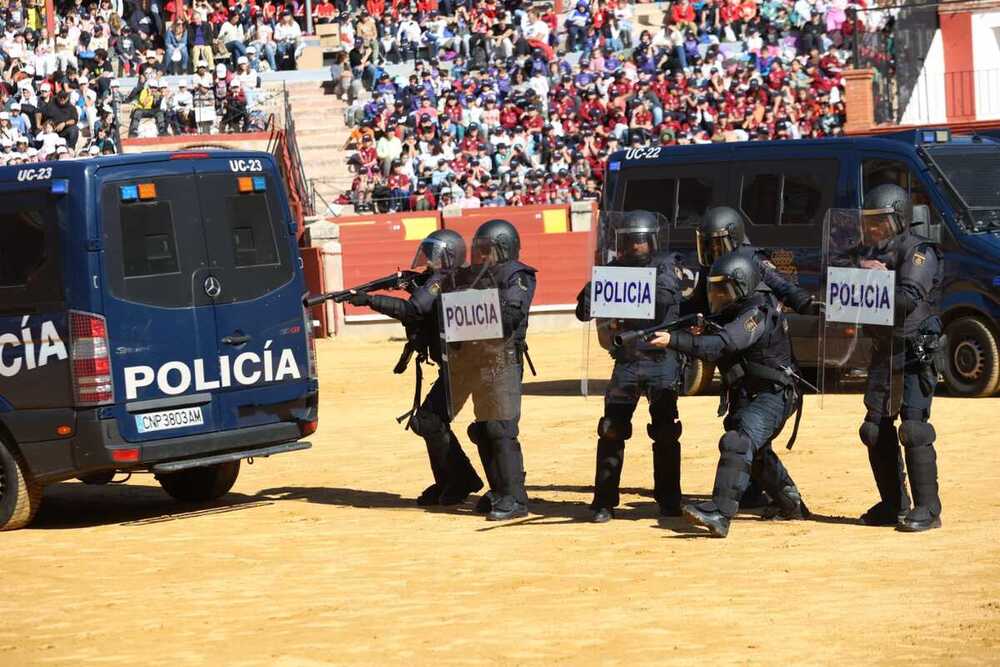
{"x": 784, "y": 188}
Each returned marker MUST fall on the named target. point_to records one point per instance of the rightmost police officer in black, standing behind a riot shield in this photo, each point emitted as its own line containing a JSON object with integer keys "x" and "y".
{"x": 888, "y": 243}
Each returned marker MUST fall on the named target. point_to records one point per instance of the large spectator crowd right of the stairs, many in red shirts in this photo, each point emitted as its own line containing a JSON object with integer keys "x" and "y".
{"x": 509, "y": 103}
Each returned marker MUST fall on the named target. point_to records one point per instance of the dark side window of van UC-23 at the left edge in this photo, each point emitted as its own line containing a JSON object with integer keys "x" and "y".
{"x": 29, "y": 241}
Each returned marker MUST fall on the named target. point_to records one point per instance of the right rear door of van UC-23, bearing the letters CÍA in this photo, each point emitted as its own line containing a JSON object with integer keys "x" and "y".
{"x": 258, "y": 310}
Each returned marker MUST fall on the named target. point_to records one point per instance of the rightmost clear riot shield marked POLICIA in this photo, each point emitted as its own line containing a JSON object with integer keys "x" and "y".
{"x": 857, "y": 332}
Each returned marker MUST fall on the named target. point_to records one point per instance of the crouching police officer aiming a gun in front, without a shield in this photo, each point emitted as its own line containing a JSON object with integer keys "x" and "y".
{"x": 753, "y": 351}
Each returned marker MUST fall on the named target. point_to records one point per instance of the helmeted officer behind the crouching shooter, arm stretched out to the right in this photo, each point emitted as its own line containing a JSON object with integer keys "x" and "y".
{"x": 721, "y": 232}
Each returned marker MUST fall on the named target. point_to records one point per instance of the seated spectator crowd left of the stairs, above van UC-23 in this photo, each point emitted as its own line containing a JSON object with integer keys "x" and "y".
{"x": 59, "y": 90}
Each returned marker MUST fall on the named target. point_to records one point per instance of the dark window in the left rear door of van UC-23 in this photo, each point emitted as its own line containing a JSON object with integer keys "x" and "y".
{"x": 149, "y": 245}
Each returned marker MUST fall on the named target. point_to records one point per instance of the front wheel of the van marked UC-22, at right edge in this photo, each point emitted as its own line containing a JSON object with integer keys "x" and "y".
{"x": 973, "y": 365}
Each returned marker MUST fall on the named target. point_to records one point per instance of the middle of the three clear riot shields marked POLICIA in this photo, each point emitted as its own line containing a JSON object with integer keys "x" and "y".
{"x": 622, "y": 287}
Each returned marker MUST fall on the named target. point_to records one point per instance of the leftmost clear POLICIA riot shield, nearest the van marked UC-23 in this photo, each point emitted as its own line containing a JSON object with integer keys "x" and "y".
{"x": 481, "y": 367}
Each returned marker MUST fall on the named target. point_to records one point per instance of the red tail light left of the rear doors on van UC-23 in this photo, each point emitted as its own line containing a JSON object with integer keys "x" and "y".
{"x": 90, "y": 356}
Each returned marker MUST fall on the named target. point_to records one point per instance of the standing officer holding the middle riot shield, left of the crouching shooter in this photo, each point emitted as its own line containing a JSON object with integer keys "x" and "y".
{"x": 640, "y": 370}
